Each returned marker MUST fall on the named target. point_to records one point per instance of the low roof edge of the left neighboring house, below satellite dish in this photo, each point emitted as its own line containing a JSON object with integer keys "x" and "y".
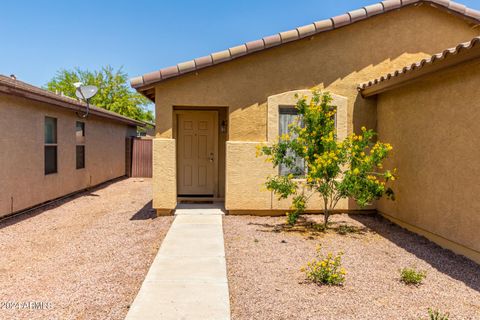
{"x": 28, "y": 91}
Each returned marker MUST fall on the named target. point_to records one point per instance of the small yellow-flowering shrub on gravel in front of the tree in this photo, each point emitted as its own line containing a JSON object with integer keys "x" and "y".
{"x": 326, "y": 270}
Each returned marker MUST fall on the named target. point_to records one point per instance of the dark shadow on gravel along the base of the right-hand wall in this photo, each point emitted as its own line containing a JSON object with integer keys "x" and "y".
{"x": 445, "y": 261}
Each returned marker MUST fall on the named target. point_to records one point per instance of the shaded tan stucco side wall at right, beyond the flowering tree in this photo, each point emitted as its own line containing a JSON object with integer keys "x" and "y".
{"x": 433, "y": 126}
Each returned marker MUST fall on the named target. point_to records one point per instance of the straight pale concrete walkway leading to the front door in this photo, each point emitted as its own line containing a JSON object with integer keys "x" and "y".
{"x": 188, "y": 278}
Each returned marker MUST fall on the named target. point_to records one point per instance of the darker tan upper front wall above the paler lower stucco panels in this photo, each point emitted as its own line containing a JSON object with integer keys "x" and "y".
{"x": 336, "y": 61}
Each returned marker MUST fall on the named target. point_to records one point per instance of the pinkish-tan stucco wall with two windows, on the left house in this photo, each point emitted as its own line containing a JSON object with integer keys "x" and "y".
{"x": 22, "y": 153}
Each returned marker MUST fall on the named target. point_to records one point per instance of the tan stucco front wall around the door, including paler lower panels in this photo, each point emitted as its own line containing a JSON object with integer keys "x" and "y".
{"x": 336, "y": 61}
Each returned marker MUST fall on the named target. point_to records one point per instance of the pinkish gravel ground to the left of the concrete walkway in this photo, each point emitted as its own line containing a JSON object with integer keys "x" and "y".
{"x": 83, "y": 258}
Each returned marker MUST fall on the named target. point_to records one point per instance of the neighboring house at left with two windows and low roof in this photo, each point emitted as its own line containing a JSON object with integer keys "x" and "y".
{"x": 49, "y": 150}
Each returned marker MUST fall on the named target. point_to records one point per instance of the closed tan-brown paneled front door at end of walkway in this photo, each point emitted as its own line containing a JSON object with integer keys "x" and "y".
{"x": 196, "y": 153}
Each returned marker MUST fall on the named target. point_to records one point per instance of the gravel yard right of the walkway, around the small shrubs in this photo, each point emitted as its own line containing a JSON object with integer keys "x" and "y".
{"x": 264, "y": 260}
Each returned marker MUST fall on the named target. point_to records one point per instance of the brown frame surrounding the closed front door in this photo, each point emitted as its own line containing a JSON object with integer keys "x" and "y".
{"x": 176, "y": 113}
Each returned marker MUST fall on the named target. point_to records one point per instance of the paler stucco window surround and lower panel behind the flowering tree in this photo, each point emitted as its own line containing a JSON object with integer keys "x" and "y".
{"x": 246, "y": 174}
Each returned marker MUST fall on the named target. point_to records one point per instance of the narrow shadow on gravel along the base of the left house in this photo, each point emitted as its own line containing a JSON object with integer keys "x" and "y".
{"x": 52, "y": 204}
